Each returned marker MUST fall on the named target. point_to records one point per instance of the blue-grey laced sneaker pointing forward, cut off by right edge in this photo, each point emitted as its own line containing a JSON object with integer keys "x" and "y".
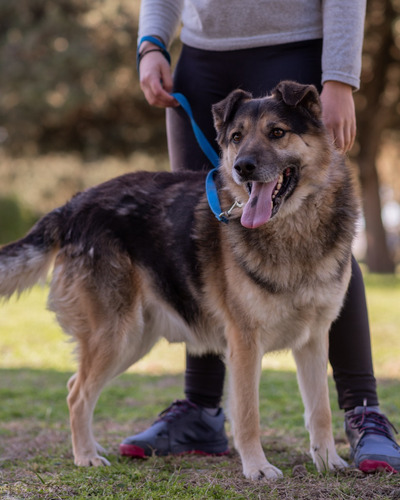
{"x": 373, "y": 446}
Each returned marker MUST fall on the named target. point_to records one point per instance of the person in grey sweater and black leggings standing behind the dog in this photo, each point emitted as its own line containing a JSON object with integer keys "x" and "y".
{"x": 254, "y": 45}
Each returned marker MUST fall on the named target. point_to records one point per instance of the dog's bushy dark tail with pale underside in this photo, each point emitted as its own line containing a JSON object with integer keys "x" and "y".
{"x": 28, "y": 260}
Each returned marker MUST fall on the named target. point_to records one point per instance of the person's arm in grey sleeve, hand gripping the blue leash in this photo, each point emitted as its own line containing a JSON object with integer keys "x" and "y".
{"x": 158, "y": 18}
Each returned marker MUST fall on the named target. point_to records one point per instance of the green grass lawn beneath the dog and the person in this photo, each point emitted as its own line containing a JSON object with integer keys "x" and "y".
{"x": 36, "y": 460}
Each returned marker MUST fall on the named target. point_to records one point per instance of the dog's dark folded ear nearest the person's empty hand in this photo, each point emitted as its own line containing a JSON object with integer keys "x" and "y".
{"x": 295, "y": 94}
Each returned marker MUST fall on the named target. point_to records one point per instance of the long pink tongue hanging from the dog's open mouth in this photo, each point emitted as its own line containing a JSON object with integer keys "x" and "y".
{"x": 257, "y": 210}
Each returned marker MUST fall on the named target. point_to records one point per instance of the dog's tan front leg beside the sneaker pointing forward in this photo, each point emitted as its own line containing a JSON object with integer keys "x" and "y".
{"x": 312, "y": 360}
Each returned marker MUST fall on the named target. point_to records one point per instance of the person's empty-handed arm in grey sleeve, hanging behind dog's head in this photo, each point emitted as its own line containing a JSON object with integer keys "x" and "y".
{"x": 343, "y": 31}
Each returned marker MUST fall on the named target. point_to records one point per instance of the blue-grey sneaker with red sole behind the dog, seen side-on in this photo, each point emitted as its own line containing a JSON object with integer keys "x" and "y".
{"x": 182, "y": 428}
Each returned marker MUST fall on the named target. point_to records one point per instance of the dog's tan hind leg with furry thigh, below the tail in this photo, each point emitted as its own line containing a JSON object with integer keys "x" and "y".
{"x": 102, "y": 310}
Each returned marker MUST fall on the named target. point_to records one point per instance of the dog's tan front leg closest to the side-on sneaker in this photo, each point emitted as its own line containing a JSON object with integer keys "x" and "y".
{"x": 244, "y": 362}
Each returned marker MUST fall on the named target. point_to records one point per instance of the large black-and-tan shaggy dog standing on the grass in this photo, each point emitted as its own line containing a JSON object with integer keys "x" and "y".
{"x": 142, "y": 257}
